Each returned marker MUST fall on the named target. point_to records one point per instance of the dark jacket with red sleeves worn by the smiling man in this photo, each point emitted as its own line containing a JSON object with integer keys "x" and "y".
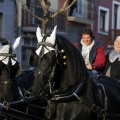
{"x": 97, "y": 56}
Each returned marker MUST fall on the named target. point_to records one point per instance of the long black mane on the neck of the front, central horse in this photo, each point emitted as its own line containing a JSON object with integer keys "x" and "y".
{"x": 76, "y": 69}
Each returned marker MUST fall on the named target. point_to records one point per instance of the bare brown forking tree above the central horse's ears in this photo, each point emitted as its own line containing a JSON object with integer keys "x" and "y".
{"x": 45, "y": 4}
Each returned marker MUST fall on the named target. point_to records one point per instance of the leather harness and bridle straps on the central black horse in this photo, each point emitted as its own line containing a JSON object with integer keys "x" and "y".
{"x": 74, "y": 93}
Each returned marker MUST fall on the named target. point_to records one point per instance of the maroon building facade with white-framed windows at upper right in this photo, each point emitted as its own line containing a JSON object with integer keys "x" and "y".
{"x": 106, "y": 25}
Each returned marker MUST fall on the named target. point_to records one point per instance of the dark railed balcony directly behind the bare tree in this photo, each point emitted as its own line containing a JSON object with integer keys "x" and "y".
{"x": 29, "y": 23}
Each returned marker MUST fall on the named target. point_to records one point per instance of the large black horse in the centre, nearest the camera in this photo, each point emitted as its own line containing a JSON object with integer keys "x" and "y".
{"x": 61, "y": 76}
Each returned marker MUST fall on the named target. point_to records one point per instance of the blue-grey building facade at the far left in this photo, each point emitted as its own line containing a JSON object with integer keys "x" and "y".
{"x": 8, "y": 22}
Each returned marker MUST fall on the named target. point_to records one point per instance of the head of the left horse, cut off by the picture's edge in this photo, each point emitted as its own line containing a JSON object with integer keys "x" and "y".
{"x": 9, "y": 68}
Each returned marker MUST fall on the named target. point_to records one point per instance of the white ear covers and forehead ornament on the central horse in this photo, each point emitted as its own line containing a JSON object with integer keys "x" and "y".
{"x": 50, "y": 40}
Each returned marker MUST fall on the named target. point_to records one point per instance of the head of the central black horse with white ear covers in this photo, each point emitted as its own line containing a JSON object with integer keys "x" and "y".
{"x": 44, "y": 60}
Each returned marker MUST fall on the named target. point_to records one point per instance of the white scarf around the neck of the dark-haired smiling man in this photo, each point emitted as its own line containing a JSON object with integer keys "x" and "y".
{"x": 86, "y": 50}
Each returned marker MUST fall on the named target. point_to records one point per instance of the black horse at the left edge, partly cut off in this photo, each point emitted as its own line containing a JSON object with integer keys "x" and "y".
{"x": 16, "y": 103}
